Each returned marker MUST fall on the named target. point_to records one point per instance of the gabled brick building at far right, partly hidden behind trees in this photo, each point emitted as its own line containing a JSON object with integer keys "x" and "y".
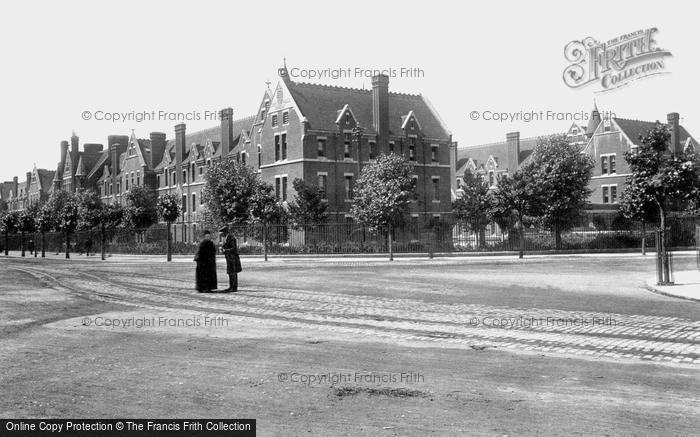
{"x": 605, "y": 139}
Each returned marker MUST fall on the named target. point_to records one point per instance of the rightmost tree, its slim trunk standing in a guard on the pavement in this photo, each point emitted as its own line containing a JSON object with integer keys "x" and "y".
{"x": 661, "y": 178}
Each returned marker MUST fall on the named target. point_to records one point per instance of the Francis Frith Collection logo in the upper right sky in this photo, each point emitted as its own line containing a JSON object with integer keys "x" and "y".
{"x": 614, "y": 63}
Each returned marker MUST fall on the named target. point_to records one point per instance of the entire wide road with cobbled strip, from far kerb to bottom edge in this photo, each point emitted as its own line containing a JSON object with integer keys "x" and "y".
{"x": 446, "y": 346}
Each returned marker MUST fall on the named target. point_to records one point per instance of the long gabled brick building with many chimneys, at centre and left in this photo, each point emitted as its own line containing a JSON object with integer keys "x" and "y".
{"x": 322, "y": 134}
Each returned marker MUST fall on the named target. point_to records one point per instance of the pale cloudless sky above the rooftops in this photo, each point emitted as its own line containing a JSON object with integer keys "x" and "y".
{"x": 61, "y": 59}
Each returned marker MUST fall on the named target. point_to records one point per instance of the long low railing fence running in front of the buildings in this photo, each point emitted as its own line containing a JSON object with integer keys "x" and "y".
{"x": 592, "y": 233}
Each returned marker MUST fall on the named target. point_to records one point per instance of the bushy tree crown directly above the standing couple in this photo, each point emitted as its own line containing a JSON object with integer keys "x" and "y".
{"x": 229, "y": 190}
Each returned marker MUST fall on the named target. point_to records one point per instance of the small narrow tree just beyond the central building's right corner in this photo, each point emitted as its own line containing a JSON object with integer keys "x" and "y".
{"x": 474, "y": 206}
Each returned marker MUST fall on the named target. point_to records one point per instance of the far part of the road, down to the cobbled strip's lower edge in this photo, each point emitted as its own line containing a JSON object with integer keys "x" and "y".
{"x": 589, "y": 307}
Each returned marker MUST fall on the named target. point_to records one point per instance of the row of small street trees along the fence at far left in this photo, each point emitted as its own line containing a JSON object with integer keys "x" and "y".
{"x": 66, "y": 213}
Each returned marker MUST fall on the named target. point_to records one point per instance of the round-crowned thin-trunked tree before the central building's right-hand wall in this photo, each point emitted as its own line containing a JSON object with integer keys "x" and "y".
{"x": 383, "y": 193}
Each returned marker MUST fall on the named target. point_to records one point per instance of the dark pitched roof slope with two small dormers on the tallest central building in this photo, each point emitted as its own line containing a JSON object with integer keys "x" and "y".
{"x": 320, "y": 105}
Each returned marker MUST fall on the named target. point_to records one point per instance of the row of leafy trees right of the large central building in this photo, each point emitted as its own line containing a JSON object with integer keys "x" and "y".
{"x": 552, "y": 187}
